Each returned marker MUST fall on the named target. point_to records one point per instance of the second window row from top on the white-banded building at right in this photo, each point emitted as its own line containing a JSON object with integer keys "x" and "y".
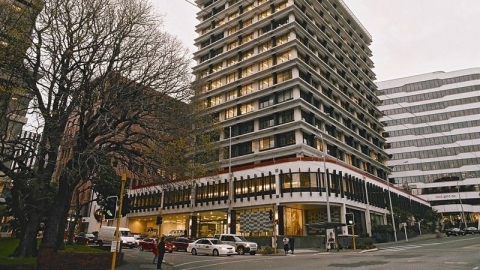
{"x": 431, "y": 95}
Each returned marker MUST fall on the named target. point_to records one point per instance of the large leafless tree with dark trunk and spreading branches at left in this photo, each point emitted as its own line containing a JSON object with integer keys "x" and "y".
{"x": 106, "y": 81}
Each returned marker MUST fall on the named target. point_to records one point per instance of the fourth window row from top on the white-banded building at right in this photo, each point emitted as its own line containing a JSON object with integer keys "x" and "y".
{"x": 432, "y": 117}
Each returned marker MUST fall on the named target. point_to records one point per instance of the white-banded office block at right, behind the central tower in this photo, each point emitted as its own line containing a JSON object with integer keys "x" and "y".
{"x": 433, "y": 123}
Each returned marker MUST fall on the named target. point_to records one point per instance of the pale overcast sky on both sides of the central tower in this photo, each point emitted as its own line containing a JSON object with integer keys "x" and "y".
{"x": 410, "y": 37}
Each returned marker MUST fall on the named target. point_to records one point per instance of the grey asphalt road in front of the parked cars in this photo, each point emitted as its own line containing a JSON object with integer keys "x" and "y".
{"x": 424, "y": 252}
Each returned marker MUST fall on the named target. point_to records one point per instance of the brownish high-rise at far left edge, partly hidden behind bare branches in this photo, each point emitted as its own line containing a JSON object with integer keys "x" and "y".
{"x": 16, "y": 21}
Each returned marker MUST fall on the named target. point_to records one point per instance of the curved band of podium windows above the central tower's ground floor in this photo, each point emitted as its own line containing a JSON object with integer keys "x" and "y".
{"x": 345, "y": 186}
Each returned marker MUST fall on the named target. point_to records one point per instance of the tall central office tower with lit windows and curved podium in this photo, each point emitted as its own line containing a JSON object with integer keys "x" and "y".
{"x": 291, "y": 83}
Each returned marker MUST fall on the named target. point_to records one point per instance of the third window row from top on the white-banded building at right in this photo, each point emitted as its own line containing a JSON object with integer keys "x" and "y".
{"x": 433, "y": 106}
